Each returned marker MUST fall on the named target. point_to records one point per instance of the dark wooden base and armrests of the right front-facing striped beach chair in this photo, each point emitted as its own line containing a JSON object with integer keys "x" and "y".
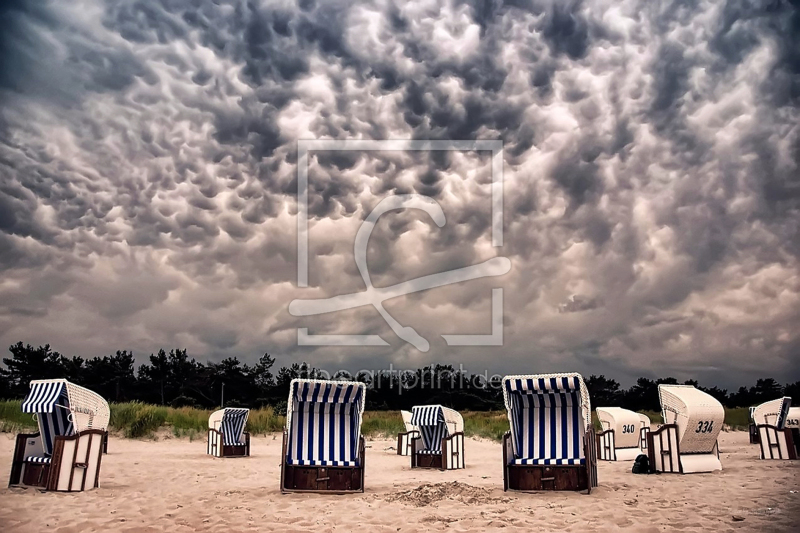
{"x": 529, "y": 478}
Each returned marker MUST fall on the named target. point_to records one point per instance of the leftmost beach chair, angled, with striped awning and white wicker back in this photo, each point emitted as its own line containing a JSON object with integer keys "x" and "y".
{"x": 66, "y": 453}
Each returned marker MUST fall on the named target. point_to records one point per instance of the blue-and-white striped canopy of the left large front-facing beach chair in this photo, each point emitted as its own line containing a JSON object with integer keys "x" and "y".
{"x": 323, "y": 421}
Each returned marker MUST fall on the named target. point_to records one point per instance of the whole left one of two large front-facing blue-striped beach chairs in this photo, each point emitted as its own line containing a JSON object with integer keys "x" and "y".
{"x": 323, "y": 450}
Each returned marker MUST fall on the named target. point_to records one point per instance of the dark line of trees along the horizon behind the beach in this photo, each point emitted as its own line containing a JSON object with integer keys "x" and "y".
{"x": 174, "y": 378}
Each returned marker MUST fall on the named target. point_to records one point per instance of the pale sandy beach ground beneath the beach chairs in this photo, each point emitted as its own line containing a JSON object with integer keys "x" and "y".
{"x": 171, "y": 485}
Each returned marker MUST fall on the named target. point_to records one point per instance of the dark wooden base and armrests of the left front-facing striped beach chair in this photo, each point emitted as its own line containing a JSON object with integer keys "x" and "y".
{"x": 328, "y": 479}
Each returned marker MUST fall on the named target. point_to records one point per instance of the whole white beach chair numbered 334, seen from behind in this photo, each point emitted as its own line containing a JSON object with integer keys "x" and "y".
{"x": 687, "y": 441}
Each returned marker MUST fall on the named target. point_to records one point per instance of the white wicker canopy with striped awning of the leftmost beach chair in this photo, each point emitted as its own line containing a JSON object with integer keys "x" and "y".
{"x": 63, "y": 408}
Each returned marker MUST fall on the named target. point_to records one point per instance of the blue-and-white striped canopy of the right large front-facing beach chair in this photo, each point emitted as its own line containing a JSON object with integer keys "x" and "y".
{"x": 548, "y": 414}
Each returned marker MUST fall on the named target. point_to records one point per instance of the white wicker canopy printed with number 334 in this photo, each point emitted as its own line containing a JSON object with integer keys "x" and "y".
{"x": 698, "y": 415}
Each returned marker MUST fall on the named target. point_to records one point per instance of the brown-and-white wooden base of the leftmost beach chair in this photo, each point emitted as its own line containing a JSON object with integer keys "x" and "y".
{"x": 74, "y": 465}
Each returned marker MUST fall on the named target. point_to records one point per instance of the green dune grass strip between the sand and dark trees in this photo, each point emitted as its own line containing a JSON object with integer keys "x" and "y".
{"x": 139, "y": 420}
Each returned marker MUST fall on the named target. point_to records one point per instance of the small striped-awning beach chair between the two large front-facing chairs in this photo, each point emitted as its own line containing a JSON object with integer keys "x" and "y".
{"x": 440, "y": 443}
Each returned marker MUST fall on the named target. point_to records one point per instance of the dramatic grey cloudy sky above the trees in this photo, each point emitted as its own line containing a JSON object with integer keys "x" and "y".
{"x": 148, "y": 179}
